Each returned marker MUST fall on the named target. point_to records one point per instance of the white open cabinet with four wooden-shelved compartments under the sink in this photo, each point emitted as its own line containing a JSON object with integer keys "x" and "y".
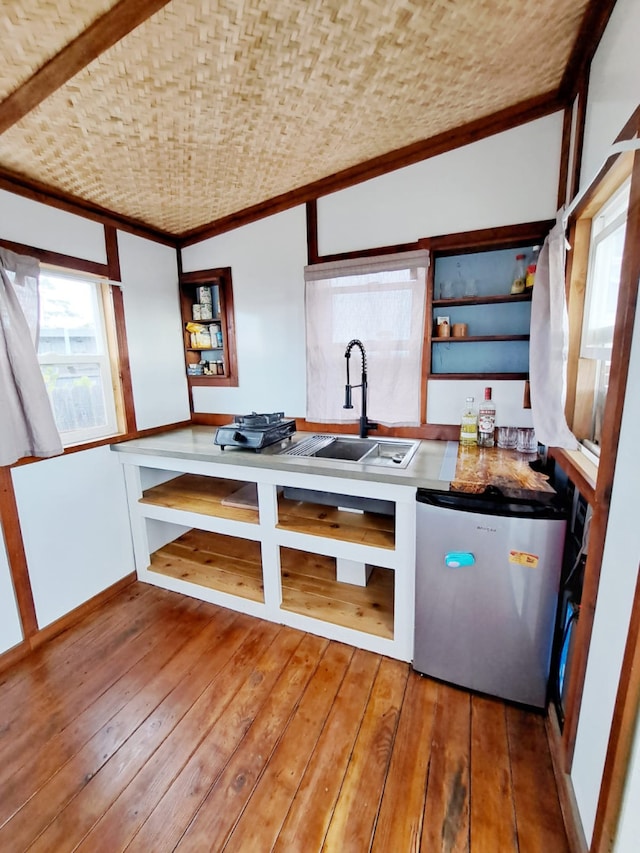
{"x": 349, "y": 576}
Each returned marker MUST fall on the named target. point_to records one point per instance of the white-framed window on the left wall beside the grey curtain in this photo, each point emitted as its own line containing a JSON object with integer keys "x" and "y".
{"x": 74, "y": 354}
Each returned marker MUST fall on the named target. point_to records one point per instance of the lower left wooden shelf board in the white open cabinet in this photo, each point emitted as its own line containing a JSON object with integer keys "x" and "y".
{"x": 223, "y": 563}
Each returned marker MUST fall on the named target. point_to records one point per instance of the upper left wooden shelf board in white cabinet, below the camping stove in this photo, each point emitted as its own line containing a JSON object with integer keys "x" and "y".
{"x": 231, "y": 499}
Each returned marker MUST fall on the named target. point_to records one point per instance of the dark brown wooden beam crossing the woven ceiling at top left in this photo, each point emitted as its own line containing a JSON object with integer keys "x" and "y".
{"x": 102, "y": 34}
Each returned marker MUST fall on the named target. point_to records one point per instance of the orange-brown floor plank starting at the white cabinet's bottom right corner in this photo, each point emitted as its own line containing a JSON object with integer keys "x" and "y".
{"x": 353, "y": 821}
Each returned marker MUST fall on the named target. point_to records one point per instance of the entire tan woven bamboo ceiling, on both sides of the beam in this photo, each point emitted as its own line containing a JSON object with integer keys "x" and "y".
{"x": 208, "y": 108}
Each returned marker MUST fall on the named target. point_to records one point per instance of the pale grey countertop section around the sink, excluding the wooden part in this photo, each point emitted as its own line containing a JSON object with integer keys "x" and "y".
{"x": 196, "y": 443}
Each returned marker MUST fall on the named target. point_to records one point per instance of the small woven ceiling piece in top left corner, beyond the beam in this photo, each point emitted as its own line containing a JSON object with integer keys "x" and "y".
{"x": 33, "y": 31}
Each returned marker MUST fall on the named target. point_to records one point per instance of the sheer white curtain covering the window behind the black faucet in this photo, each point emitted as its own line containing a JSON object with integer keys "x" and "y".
{"x": 381, "y": 302}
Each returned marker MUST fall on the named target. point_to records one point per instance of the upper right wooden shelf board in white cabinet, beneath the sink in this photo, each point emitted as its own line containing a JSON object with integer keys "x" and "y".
{"x": 319, "y": 520}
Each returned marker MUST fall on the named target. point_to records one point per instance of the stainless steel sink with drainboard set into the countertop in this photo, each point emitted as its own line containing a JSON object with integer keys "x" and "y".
{"x": 389, "y": 452}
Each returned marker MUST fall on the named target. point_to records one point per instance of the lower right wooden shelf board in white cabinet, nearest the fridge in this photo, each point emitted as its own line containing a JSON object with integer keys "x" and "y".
{"x": 310, "y": 588}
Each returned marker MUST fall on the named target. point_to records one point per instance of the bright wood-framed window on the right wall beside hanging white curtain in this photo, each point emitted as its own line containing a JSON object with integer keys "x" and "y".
{"x": 606, "y": 244}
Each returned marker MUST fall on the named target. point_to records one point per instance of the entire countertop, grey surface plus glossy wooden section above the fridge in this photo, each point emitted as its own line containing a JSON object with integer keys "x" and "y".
{"x": 432, "y": 467}
